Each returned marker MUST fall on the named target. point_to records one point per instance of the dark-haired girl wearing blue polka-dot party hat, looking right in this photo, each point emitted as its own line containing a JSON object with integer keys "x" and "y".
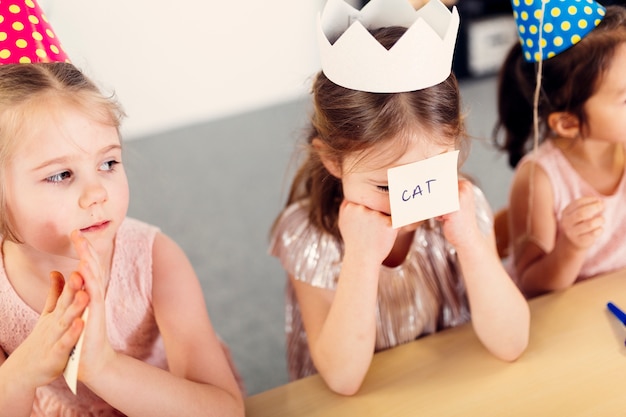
{"x": 566, "y": 214}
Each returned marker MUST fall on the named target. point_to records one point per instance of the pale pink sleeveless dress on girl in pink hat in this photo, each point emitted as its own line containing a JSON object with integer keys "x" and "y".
{"x": 130, "y": 322}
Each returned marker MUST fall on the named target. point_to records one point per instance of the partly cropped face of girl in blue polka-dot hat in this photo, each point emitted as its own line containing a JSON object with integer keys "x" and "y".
{"x": 606, "y": 108}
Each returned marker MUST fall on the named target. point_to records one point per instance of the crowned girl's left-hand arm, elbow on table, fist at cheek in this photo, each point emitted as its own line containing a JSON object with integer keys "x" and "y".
{"x": 341, "y": 324}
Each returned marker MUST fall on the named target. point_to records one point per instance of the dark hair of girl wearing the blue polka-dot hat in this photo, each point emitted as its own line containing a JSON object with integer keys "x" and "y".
{"x": 568, "y": 80}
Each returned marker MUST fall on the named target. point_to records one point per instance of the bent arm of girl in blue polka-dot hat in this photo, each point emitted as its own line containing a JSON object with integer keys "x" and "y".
{"x": 546, "y": 258}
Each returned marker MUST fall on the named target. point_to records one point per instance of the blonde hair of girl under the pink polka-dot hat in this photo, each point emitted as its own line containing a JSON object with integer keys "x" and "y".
{"x": 26, "y": 89}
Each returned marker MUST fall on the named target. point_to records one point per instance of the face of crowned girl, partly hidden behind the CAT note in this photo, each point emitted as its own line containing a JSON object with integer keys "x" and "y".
{"x": 364, "y": 178}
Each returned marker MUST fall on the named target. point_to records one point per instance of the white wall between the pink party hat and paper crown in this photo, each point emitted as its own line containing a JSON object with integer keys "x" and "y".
{"x": 173, "y": 63}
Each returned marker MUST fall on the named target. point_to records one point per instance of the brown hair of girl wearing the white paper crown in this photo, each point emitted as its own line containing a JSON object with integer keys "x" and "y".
{"x": 349, "y": 121}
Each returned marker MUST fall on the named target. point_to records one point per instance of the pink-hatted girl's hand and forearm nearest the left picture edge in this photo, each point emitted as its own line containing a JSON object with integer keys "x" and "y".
{"x": 42, "y": 357}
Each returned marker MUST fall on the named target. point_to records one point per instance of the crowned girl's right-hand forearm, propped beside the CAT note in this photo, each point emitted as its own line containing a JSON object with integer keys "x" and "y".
{"x": 500, "y": 314}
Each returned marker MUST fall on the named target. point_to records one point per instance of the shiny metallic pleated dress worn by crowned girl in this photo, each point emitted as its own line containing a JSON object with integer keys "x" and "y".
{"x": 421, "y": 296}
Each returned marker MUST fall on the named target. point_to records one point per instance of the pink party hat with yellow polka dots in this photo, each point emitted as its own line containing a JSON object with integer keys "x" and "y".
{"x": 26, "y": 35}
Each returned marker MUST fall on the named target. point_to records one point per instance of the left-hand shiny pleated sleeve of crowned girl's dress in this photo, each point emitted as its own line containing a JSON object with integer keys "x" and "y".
{"x": 304, "y": 251}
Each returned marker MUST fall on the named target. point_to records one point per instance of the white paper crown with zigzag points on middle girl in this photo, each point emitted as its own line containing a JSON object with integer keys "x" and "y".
{"x": 421, "y": 58}
